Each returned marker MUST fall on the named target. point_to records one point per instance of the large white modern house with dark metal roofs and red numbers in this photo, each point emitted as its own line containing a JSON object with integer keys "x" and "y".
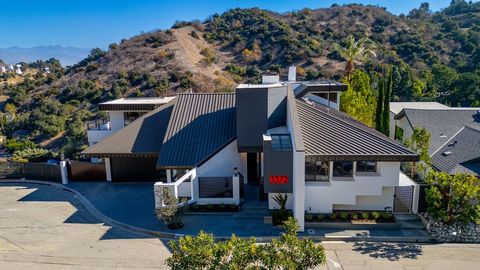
{"x": 277, "y": 135}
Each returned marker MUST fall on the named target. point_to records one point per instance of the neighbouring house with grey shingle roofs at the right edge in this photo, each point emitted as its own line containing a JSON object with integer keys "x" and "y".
{"x": 455, "y": 134}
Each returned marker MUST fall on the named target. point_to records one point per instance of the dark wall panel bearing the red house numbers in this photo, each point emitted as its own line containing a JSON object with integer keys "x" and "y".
{"x": 277, "y": 163}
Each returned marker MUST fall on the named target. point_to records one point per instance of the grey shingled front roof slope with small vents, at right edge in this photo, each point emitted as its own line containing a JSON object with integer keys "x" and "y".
{"x": 461, "y": 153}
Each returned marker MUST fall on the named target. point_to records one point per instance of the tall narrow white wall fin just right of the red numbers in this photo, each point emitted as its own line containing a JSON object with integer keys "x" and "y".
{"x": 299, "y": 189}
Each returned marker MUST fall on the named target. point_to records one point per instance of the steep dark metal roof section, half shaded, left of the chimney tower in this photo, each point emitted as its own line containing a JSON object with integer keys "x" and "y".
{"x": 200, "y": 126}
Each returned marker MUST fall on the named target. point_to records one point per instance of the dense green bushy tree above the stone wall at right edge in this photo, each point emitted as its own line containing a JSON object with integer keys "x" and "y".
{"x": 453, "y": 198}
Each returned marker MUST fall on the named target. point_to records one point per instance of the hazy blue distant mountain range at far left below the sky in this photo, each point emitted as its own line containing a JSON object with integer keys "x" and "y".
{"x": 66, "y": 55}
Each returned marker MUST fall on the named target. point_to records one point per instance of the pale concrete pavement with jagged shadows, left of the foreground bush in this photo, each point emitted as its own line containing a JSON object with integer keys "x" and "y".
{"x": 45, "y": 228}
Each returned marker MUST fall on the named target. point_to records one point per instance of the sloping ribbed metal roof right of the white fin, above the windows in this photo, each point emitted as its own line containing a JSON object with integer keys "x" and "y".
{"x": 334, "y": 136}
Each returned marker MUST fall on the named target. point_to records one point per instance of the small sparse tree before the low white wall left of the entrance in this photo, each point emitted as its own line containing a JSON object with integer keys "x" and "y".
{"x": 172, "y": 210}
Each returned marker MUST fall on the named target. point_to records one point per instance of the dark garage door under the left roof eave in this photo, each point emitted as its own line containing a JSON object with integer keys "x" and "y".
{"x": 135, "y": 170}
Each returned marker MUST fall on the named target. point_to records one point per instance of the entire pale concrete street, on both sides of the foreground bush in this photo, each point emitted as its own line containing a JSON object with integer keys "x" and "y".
{"x": 45, "y": 228}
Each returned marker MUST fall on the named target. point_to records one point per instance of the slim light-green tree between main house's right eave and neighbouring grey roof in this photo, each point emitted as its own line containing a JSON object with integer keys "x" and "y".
{"x": 419, "y": 142}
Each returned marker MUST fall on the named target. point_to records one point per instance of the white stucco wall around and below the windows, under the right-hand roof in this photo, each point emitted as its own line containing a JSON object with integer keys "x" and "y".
{"x": 321, "y": 196}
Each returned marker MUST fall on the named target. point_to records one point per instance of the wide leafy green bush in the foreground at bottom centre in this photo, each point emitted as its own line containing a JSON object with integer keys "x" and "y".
{"x": 286, "y": 252}
